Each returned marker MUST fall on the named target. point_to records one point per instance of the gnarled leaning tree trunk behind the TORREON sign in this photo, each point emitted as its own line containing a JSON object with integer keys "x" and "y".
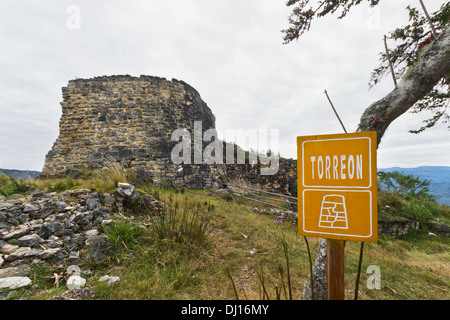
{"x": 432, "y": 66}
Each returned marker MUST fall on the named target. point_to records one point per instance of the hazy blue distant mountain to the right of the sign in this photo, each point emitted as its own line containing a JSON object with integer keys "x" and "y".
{"x": 439, "y": 176}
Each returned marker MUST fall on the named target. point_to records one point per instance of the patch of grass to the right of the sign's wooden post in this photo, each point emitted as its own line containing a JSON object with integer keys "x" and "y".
{"x": 412, "y": 267}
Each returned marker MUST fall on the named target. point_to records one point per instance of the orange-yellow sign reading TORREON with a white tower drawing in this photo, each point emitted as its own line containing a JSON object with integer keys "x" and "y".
{"x": 337, "y": 186}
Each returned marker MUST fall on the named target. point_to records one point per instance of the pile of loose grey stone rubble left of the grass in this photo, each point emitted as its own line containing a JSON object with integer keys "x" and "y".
{"x": 55, "y": 228}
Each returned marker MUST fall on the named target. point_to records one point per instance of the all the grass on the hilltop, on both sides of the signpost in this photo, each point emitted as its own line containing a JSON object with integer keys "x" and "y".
{"x": 210, "y": 247}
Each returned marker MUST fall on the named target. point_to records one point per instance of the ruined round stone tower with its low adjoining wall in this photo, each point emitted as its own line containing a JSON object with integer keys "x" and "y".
{"x": 131, "y": 119}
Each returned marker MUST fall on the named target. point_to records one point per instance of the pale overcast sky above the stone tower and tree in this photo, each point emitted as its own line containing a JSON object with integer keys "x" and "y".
{"x": 231, "y": 51}
